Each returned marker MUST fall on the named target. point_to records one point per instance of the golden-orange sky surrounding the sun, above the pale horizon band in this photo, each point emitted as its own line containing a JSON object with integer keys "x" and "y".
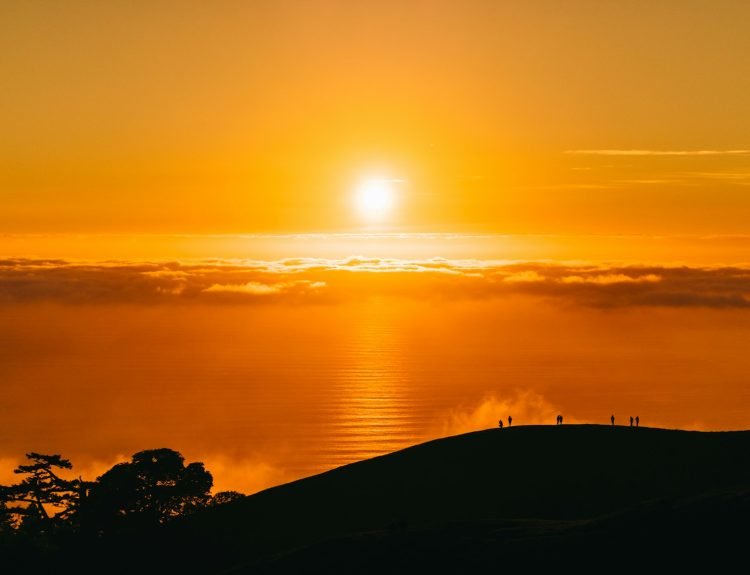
{"x": 255, "y": 117}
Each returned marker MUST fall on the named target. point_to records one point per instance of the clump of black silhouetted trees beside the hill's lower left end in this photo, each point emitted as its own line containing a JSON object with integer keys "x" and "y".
{"x": 132, "y": 498}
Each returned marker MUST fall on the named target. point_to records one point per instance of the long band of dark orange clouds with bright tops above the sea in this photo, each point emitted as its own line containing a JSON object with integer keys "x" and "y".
{"x": 317, "y": 280}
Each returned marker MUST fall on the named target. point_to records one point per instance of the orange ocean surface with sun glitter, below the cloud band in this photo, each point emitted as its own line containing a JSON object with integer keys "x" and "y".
{"x": 265, "y": 394}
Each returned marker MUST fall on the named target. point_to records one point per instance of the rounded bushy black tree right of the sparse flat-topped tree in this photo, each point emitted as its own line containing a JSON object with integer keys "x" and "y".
{"x": 153, "y": 488}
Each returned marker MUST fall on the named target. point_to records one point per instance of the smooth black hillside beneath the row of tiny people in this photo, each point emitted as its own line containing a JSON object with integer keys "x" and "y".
{"x": 555, "y": 489}
